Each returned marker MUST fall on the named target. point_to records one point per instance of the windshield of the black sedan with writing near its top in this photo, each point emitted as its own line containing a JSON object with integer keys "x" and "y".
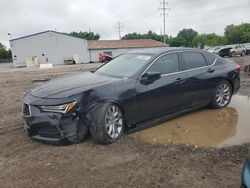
{"x": 124, "y": 65}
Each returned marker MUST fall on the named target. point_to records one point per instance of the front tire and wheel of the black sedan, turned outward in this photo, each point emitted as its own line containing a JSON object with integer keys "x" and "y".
{"x": 103, "y": 132}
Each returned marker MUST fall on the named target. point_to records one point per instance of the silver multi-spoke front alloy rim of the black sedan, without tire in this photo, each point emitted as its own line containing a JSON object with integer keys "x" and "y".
{"x": 113, "y": 122}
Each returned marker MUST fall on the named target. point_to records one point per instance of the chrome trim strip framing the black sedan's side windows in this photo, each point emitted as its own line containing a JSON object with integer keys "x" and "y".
{"x": 183, "y": 70}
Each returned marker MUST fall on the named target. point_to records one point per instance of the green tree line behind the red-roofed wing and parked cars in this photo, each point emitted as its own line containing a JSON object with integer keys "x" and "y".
{"x": 233, "y": 34}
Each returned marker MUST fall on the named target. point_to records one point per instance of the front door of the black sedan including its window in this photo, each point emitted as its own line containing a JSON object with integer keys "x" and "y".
{"x": 164, "y": 95}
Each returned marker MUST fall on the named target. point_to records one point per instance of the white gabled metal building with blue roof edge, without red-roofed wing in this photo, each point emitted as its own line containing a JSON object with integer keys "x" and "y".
{"x": 48, "y": 47}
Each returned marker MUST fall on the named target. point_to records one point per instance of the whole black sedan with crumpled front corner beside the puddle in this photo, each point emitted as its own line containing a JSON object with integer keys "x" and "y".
{"x": 133, "y": 91}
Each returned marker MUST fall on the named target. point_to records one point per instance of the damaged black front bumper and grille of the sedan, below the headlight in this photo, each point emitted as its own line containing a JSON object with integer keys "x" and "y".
{"x": 50, "y": 127}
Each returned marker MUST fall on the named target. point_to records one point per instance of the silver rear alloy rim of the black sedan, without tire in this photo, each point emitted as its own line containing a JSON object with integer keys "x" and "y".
{"x": 223, "y": 94}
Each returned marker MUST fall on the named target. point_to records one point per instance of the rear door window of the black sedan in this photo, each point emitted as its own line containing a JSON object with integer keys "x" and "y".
{"x": 193, "y": 60}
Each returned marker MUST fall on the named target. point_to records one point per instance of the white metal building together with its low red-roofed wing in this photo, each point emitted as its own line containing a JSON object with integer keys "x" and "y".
{"x": 59, "y": 48}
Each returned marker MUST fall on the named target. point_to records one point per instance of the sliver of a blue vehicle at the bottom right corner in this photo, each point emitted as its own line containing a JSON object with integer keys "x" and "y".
{"x": 245, "y": 175}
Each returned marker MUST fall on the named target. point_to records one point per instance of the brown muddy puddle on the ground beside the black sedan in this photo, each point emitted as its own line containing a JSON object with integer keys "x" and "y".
{"x": 205, "y": 128}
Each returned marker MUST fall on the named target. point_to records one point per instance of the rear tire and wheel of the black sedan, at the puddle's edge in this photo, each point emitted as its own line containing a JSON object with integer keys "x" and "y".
{"x": 222, "y": 95}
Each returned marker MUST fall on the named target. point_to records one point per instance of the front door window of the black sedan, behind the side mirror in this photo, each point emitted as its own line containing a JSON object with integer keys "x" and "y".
{"x": 166, "y": 64}
